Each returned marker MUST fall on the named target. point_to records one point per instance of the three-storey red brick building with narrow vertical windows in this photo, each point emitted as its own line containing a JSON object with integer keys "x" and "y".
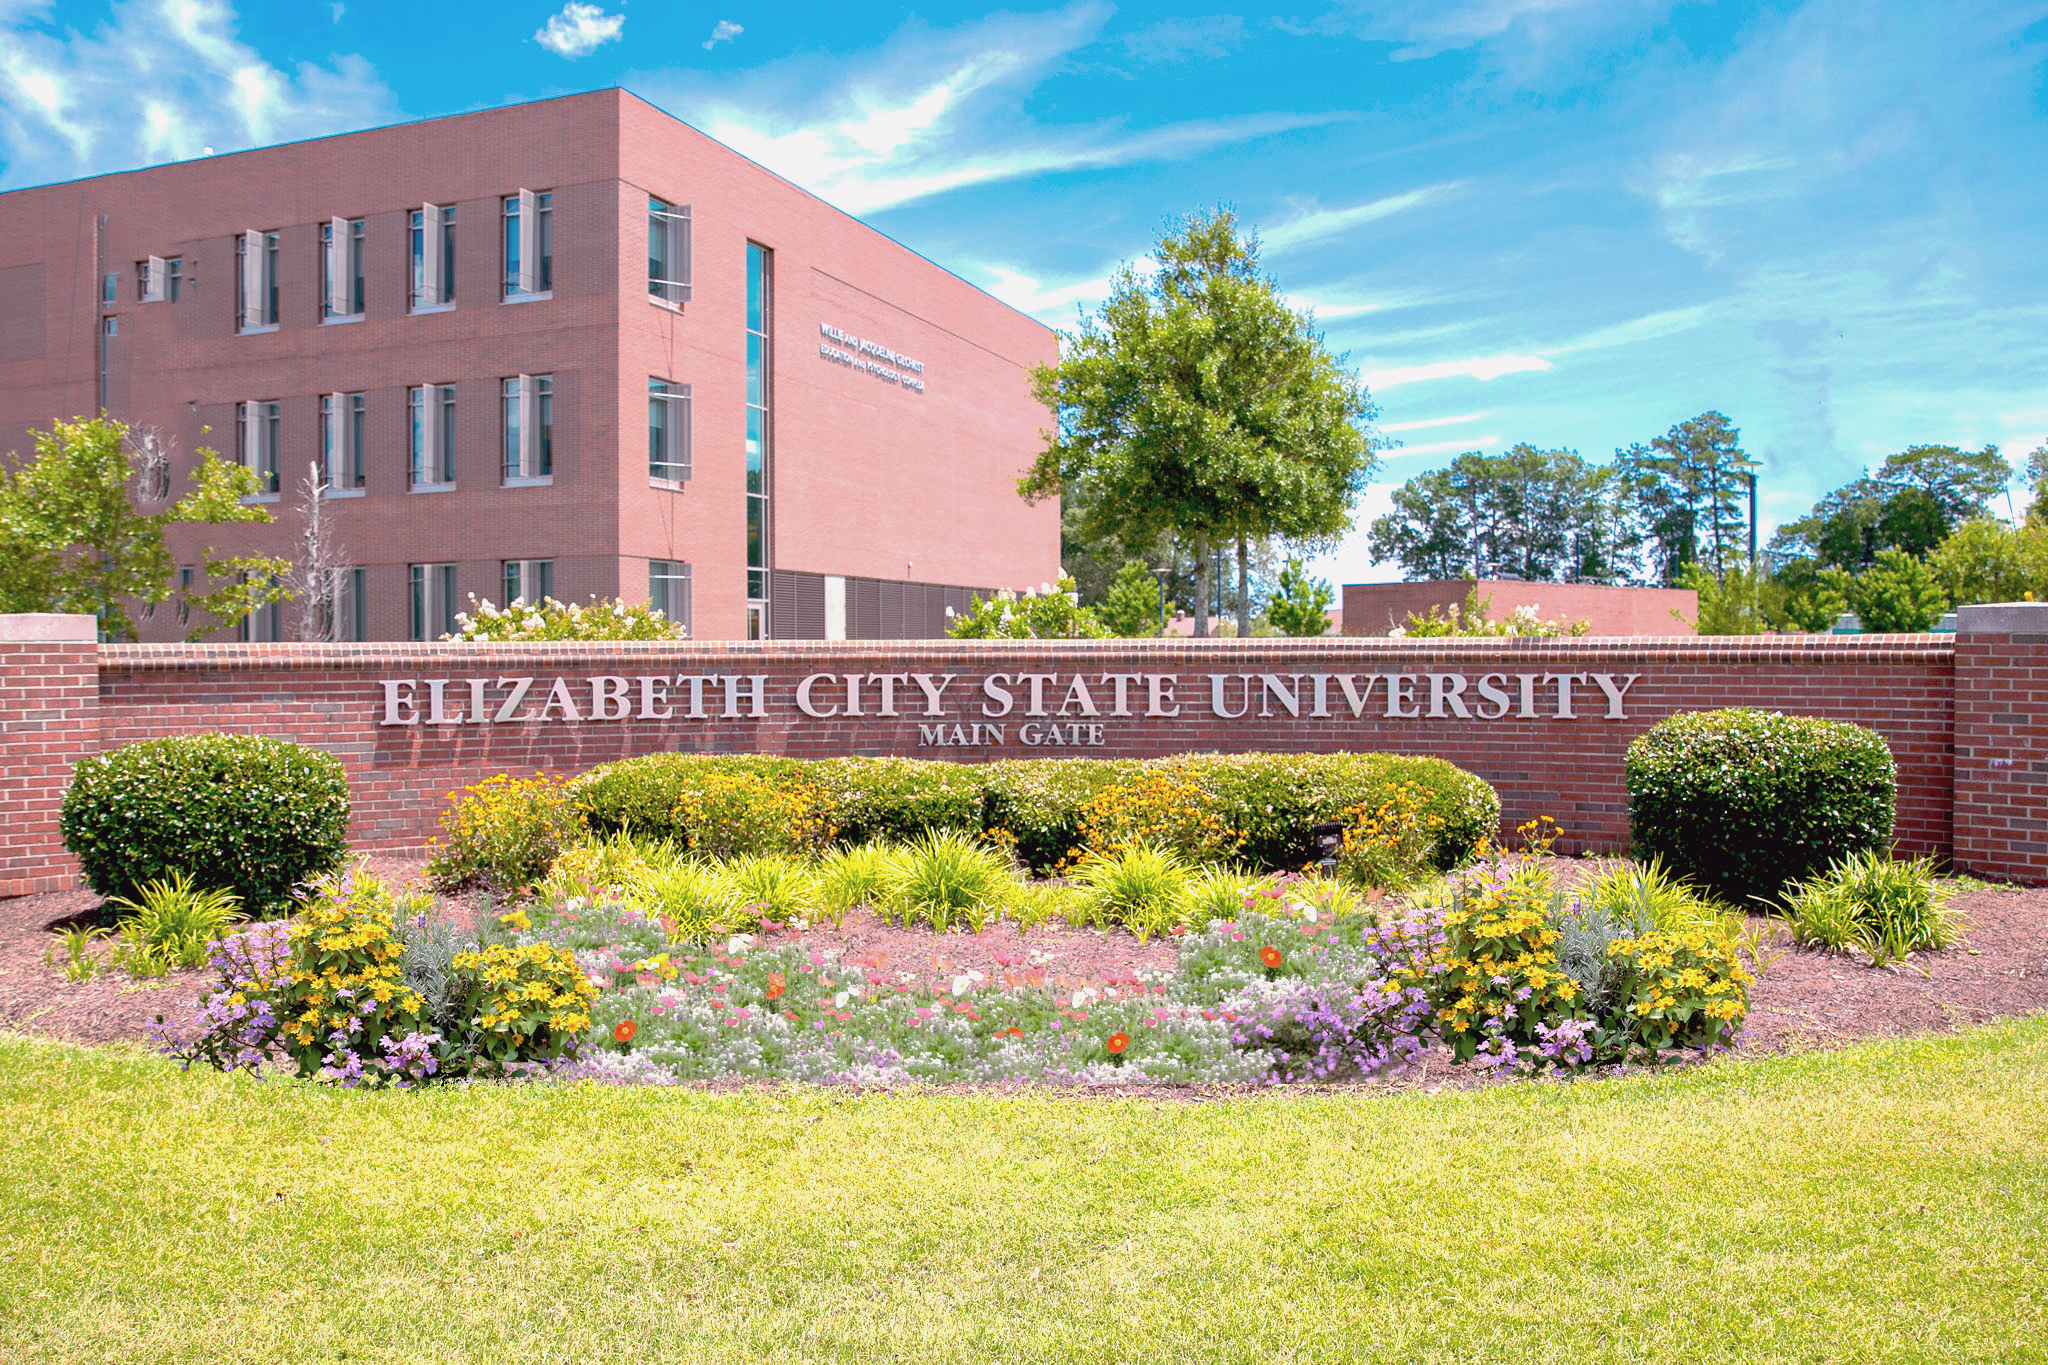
{"x": 568, "y": 347}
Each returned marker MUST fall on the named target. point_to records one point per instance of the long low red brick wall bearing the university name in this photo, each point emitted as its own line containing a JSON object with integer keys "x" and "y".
{"x": 1545, "y": 721}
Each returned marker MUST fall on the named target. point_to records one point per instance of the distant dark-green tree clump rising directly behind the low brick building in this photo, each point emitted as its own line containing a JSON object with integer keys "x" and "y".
{"x": 1527, "y": 513}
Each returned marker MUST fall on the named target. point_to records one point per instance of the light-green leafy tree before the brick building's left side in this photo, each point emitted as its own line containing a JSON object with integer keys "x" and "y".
{"x": 75, "y": 535}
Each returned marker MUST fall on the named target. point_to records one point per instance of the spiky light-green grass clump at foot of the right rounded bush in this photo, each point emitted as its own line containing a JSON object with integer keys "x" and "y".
{"x": 1889, "y": 910}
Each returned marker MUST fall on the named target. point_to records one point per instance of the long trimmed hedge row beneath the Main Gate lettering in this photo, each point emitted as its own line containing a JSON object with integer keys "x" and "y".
{"x": 1267, "y": 799}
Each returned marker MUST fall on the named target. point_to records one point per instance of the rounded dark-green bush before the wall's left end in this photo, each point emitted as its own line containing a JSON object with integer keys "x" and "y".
{"x": 241, "y": 813}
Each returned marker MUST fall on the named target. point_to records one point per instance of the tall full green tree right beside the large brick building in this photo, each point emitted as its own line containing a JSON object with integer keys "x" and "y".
{"x": 1199, "y": 406}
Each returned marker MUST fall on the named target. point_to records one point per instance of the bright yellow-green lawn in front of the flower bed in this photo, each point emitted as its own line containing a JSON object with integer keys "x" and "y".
{"x": 1883, "y": 1202}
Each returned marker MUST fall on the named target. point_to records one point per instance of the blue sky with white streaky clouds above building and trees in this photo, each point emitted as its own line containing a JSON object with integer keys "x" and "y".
{"x": 1525, "y": 220}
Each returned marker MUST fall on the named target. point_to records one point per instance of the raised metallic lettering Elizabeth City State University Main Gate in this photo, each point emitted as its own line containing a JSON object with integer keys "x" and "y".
{"x": 986, "y": 709}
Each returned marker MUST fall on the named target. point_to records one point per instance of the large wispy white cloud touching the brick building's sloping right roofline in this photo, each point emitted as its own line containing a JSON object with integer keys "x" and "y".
{"x": 935, "y": 112}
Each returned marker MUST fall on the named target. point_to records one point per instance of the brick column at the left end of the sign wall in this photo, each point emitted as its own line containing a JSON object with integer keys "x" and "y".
{"x": 50, "y": 717}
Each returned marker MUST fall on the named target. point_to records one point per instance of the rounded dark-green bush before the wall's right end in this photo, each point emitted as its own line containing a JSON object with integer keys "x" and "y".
{"x": 1748, "y": 801}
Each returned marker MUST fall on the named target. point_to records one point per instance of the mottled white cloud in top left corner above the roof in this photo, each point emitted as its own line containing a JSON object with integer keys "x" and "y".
{"x": 157, "y": 83}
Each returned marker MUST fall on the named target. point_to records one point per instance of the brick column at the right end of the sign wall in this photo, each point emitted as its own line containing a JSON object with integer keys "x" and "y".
{"x": 2002, "y": 742}
